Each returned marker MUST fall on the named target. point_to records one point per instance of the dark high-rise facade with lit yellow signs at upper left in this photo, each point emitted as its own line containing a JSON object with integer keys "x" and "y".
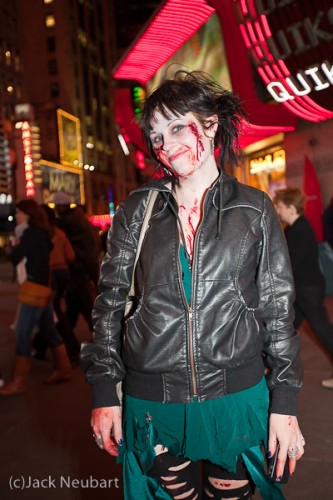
{"x": 57, "y": 128}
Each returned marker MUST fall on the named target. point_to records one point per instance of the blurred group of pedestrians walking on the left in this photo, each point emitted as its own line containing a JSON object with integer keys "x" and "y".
{"x": 56, "y": 253}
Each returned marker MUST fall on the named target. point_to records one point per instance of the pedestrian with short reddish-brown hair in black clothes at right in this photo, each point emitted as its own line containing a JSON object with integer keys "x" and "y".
{"x": 309, "y": 281}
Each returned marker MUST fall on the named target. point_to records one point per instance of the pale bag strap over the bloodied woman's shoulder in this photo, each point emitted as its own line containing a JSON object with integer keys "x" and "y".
{"x": 129, "y": 299}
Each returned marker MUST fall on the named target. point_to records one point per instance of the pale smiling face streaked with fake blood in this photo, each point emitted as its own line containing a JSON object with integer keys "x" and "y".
{"x": 181, "y": 143}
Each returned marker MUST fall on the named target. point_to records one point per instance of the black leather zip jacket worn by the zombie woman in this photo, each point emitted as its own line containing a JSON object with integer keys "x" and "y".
{"x": 242, "y": 295}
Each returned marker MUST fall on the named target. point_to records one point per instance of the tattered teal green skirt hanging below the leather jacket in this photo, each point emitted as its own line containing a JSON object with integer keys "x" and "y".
{"x": 220, "y": 430}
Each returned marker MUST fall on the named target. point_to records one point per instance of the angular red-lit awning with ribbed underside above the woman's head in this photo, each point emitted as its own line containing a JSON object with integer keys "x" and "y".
{"x": 168, "y": 29}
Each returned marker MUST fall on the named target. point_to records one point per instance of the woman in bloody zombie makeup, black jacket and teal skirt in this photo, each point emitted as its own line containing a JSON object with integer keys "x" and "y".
{"x": 213, "y": 295}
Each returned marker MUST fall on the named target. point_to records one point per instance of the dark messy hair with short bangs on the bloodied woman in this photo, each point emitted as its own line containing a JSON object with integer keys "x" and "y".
{"x": 198, "y": 93}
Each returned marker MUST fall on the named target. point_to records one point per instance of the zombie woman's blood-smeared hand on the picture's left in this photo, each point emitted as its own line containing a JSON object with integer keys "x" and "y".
{"x": 107, "y": 425}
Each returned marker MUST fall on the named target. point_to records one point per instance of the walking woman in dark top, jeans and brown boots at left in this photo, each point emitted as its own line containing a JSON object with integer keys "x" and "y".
{"x": 35, "y": 246}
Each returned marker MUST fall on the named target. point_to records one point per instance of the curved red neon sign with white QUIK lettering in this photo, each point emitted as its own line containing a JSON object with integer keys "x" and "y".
{"x": 274, "y": 51}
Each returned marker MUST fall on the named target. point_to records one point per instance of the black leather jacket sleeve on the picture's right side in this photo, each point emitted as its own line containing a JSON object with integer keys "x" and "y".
{"x": 276, "y": 291}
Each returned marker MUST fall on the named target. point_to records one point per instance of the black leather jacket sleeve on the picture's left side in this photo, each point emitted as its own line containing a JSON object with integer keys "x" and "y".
{"x": 101, "y": 360}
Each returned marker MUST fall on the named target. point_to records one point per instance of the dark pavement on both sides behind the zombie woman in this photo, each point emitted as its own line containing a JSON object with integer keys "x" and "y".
{"x": 48, "y": 451}
